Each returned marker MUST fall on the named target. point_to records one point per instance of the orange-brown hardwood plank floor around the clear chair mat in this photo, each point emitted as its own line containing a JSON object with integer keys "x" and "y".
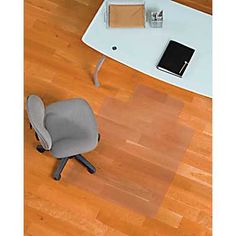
{"x": 59, "y": 66}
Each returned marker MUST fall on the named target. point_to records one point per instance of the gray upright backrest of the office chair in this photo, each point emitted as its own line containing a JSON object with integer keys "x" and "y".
{"x": 36, "y": 113}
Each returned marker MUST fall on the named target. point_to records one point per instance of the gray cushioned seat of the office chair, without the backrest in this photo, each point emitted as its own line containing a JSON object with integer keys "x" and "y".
{"x": 72, "y": 127}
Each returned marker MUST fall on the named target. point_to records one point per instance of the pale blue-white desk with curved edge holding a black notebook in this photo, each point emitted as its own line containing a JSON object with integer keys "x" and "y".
{"x": 142, "y": 48}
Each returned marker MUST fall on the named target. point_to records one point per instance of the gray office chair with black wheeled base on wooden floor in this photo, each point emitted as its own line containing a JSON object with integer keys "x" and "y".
{"x": 66, "y": 129}
